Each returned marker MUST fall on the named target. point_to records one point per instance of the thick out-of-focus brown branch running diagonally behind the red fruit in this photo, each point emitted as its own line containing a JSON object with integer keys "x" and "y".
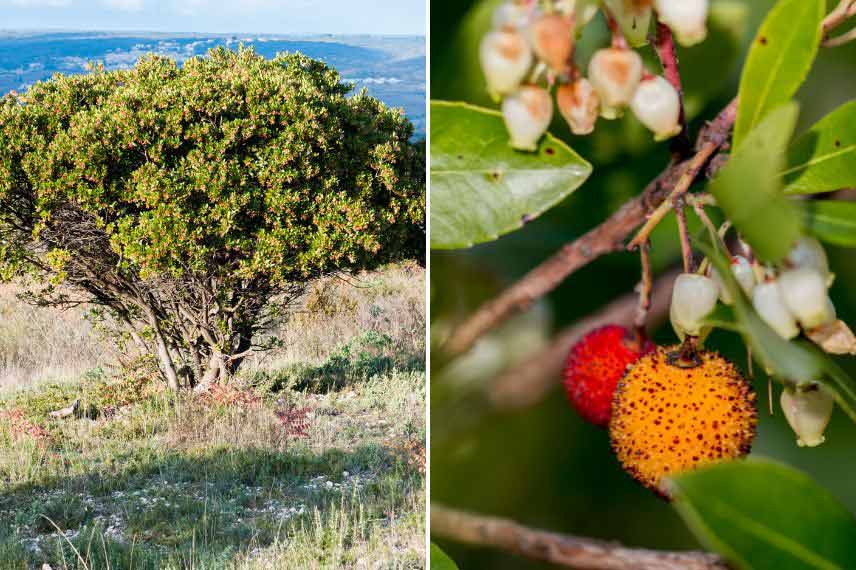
{"x": 527, "y": 383}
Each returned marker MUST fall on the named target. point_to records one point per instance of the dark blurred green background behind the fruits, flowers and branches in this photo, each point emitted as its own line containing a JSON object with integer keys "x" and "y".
{"x": 543, "y": 466}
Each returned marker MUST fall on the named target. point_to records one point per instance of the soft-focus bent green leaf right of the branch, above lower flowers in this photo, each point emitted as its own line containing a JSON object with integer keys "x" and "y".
{"x": 749, "y": 190}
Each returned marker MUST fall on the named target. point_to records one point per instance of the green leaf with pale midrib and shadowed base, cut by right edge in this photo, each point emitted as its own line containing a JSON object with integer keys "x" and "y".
{"x": 824, "y": 158}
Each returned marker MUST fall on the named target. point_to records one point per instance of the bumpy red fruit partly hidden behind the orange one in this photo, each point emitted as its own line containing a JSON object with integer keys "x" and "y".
{"x": 593, "y": 368}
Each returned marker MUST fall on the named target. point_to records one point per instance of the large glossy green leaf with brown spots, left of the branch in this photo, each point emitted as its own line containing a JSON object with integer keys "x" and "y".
{"x": 480, "y": 187}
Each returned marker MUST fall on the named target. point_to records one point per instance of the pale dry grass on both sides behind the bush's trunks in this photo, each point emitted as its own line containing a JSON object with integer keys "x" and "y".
{"x": 47, "y": 345}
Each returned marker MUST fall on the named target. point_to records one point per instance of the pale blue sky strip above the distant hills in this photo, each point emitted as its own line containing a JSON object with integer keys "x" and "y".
{"x": 219, "y": 16}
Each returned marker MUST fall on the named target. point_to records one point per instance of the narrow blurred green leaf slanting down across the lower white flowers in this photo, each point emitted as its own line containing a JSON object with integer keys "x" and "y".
{"x": 793, "y": 361}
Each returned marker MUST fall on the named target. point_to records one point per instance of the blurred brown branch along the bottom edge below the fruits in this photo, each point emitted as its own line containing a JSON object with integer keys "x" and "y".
{"x": 564, "y": 550}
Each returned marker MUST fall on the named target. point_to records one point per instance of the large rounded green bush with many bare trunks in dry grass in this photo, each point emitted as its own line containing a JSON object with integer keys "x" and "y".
{"x": 191, "y": 203}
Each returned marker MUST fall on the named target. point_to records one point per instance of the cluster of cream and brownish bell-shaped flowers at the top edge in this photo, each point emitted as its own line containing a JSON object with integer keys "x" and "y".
{"x": 531, "y": 49}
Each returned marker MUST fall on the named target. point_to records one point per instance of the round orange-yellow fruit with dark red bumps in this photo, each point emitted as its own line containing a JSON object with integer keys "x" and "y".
{"x": 668, "y": 419}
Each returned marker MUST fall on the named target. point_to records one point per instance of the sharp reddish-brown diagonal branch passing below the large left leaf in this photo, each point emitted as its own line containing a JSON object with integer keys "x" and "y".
{"x": 608, "y": 237}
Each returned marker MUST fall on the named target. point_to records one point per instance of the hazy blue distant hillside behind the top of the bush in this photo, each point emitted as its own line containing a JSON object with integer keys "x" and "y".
{"x": 391, "y": 68}
